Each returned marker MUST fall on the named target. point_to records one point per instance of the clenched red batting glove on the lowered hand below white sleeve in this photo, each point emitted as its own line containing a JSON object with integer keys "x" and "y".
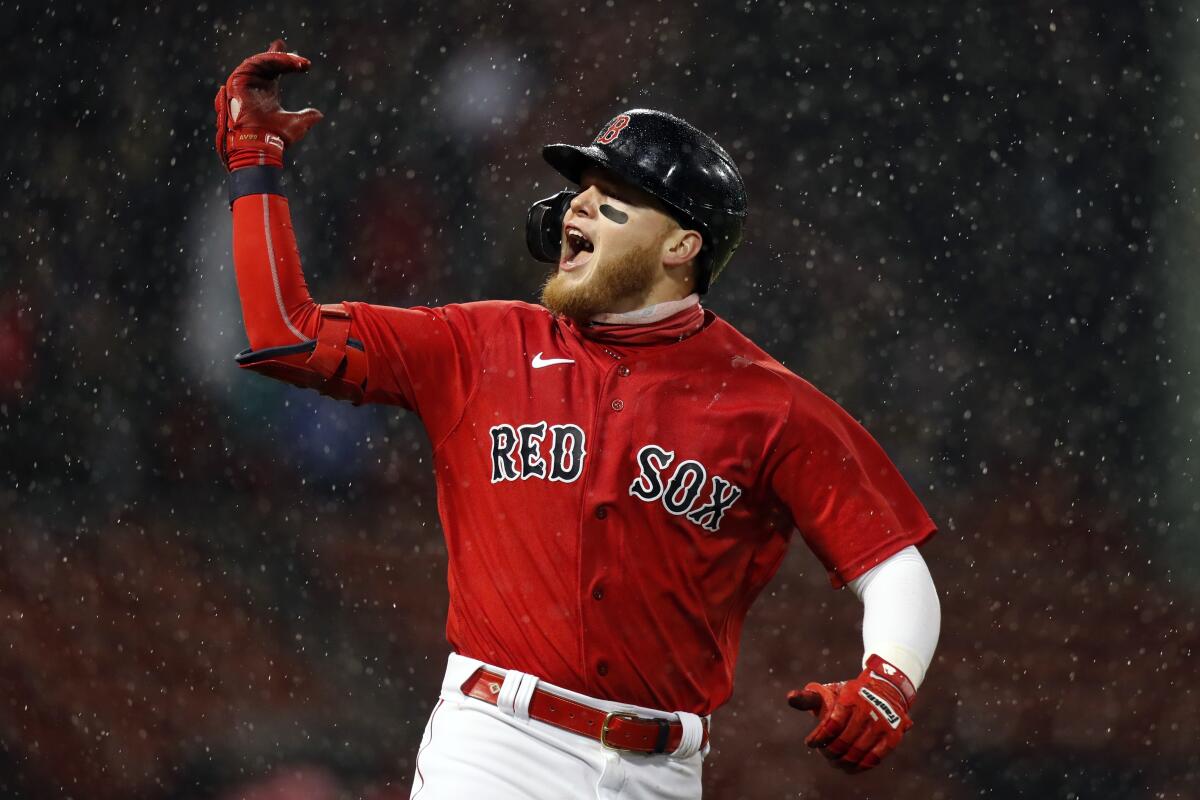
{"x": 859, "y": 721}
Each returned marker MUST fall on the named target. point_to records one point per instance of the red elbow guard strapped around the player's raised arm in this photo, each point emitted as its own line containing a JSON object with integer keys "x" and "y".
{"x": 333, "y": 364}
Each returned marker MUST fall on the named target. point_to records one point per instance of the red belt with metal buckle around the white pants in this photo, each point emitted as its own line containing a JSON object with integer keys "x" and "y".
{"x": 614, "y": 730}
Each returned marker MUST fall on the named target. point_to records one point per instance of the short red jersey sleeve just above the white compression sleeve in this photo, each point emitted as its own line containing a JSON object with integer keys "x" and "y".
{"x": 848, "y": 500}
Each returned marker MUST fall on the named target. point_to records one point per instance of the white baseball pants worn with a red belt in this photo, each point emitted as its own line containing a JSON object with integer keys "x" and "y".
{"x": 476, "y": 751}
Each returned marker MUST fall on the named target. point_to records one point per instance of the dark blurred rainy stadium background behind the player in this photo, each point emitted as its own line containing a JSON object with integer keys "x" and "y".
{"x": 975, "y": 226}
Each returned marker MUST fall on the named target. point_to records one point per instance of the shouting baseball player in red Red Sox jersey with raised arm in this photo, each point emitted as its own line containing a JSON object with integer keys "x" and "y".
{"x": 620, "y": 472}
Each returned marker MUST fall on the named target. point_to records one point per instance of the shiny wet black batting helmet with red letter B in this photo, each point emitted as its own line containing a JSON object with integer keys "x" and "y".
{"x": 665, "y": 157}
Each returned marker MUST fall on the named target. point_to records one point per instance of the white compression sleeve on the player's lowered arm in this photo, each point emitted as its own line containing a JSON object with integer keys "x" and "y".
{"x": 902, "y": 617}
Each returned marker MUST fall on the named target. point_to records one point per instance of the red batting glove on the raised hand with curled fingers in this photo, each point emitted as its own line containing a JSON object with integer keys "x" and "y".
{"x": 253, "y": 128}
